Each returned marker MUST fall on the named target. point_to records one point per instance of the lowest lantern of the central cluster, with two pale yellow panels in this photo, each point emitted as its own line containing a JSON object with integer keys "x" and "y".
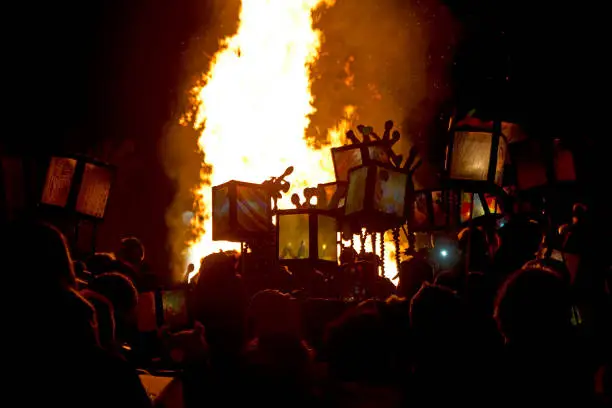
{"x": 307, "y": 234}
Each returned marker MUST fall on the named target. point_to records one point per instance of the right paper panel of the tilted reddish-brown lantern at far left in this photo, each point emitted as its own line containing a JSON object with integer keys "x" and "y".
{"x": 94, "y": 190}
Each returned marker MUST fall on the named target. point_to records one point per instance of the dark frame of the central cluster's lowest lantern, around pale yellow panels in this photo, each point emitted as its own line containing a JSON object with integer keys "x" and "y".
{"x": 313, "y": 215}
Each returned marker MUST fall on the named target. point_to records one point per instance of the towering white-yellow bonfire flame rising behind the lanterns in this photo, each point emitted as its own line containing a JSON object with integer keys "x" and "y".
{"x": 254, "y": 107}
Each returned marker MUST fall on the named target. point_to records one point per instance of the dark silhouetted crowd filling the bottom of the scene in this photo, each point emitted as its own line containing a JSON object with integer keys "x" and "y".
{"x": 509, "y": 324}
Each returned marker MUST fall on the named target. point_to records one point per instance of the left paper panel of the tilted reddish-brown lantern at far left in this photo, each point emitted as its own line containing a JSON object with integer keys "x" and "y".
{"x": 58, "y": 182}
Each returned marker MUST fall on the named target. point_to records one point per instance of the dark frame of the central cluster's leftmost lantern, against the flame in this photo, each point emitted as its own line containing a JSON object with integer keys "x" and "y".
{"x": 236, "y": 232}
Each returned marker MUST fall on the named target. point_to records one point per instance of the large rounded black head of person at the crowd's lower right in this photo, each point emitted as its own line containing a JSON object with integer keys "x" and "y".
{"x": 533, "y": 306}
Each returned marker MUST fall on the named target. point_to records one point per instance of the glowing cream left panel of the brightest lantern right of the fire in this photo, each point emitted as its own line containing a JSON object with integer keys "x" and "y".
{"x": 471, "y": 156}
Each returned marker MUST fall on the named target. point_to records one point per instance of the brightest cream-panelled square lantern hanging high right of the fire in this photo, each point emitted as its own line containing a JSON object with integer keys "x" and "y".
{"x": 476, "y": 158}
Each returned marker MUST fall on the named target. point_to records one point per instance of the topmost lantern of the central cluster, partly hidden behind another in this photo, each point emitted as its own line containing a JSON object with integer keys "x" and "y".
{"x": 348, "y": 157}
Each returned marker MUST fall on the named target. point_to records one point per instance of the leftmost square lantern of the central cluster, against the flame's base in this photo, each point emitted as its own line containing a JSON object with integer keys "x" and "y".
{"x": 241, "y": 211}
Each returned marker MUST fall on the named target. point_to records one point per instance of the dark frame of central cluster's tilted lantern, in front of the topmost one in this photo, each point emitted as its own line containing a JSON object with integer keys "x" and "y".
{"x": 372, "y": 219}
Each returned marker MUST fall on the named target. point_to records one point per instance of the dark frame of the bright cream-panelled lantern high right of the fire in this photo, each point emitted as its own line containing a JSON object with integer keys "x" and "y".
{"x": 492, "y": 182}
